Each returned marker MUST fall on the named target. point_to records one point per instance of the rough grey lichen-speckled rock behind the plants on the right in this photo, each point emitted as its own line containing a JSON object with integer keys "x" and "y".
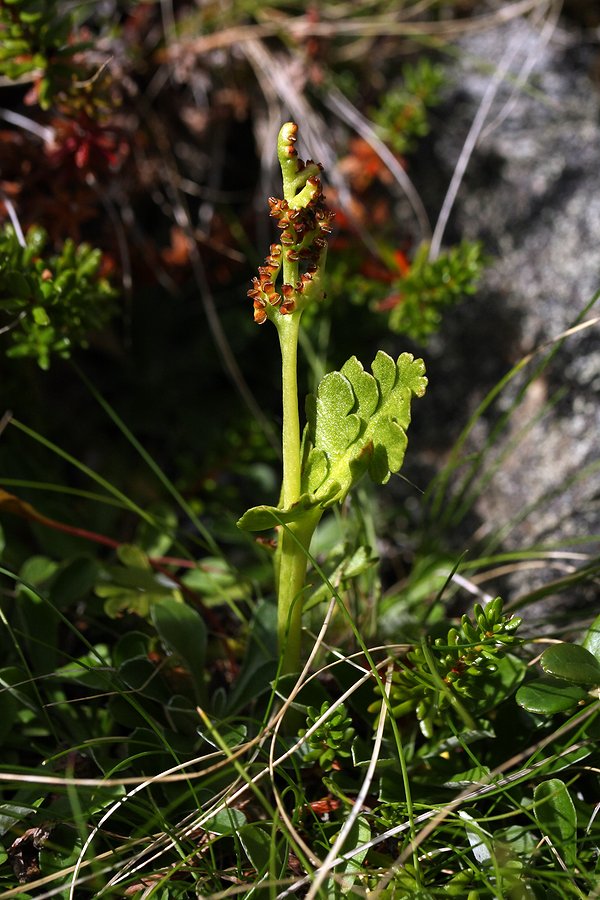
{"x": 532, "y": 194}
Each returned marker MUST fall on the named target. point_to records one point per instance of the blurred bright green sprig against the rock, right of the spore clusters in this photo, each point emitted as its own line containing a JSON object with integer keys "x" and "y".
{"x": 430, "y": 286}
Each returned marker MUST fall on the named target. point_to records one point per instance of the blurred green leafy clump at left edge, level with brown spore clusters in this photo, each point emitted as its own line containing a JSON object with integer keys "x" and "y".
{"x": 51, "y": 304}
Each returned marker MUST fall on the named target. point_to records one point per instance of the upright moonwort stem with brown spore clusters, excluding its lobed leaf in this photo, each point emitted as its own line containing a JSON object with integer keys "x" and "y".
{"x": 299, "y": 258}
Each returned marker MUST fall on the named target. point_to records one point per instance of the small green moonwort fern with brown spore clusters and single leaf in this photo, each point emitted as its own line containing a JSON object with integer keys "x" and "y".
{"x": 356, "y": 421}
